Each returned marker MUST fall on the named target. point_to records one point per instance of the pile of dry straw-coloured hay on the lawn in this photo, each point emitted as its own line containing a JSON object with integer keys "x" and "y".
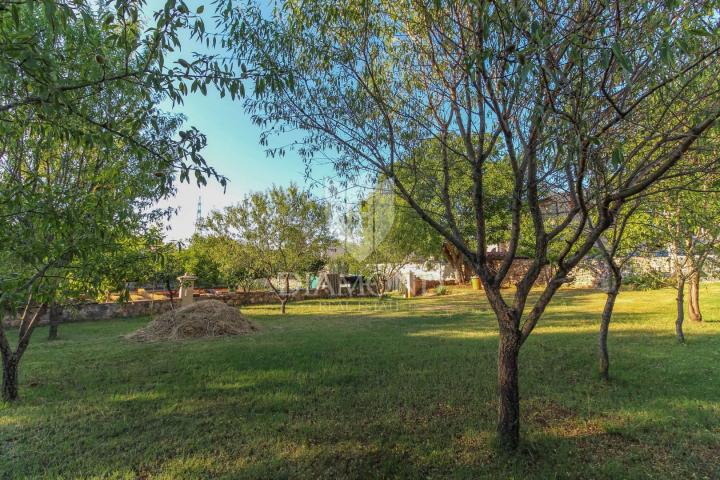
{"x": 207, "y": 318}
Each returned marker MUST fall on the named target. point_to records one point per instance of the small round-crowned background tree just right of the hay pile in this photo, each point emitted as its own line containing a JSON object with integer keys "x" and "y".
{"x": 284, "y": 231}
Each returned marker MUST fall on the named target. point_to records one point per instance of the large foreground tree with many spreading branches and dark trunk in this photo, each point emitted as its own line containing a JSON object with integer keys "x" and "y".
{"x": 554, "y": 88}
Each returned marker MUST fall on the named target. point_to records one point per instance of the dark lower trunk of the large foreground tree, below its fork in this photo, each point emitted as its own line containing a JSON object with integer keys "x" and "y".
{"x": 508, "y": 389}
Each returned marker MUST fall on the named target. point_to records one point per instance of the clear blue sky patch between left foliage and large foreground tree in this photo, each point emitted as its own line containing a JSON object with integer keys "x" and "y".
{"x": 233, "y": 149}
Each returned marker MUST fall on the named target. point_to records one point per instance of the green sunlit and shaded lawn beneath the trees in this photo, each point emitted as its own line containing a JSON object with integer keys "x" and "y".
{"x": 358, "y": 389}
